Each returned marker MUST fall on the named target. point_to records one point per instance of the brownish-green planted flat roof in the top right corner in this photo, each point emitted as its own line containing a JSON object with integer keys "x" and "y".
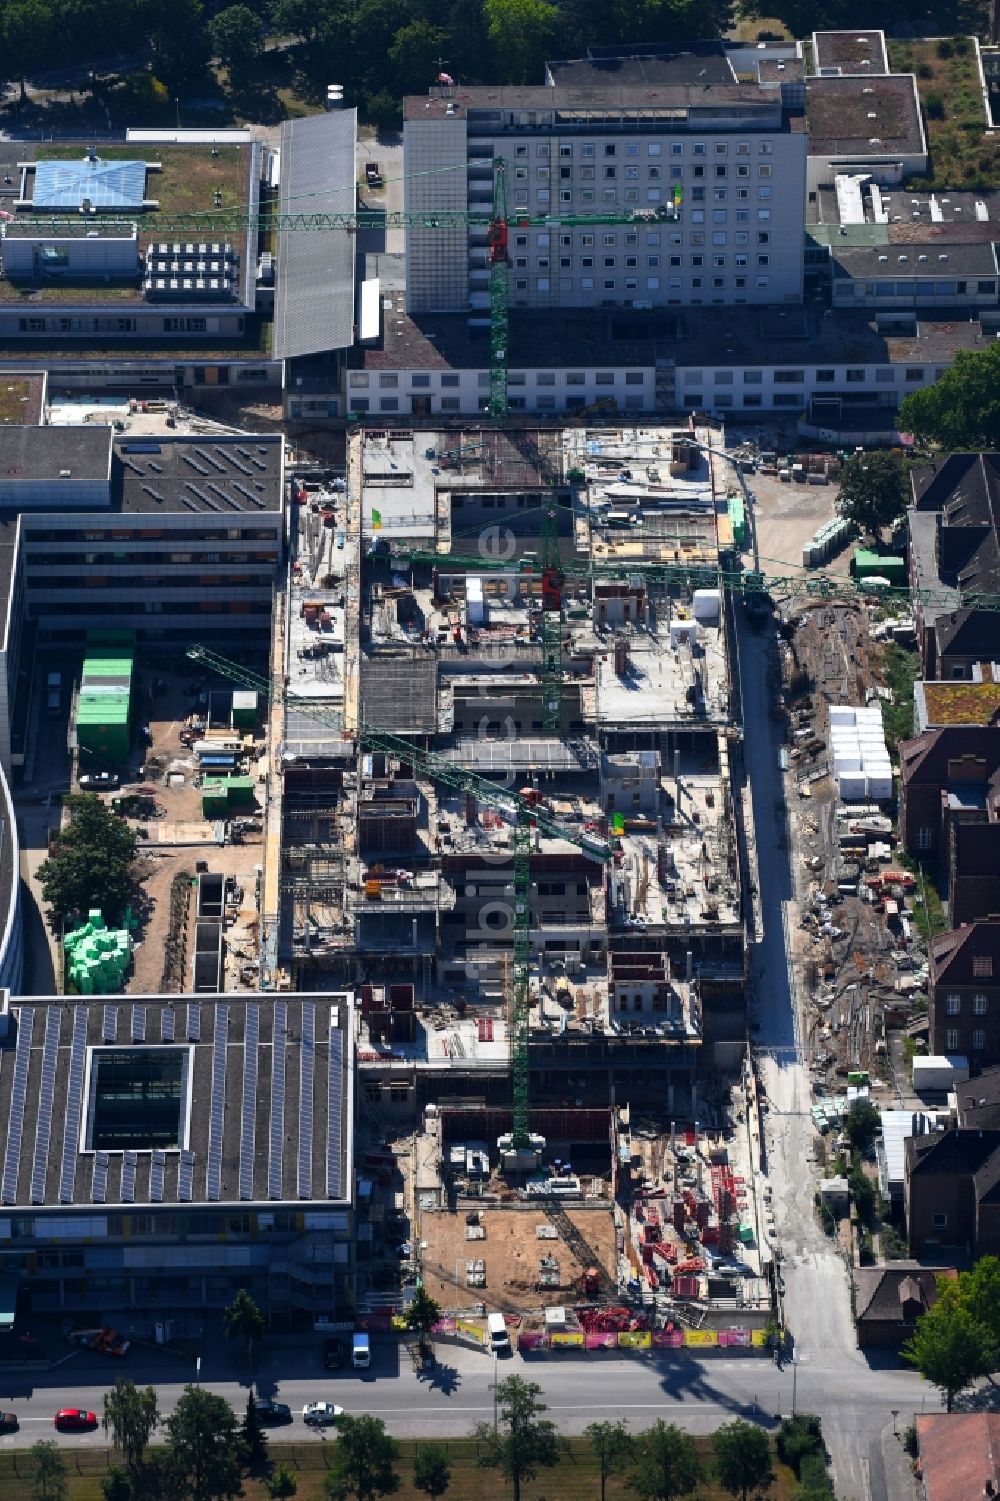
{"x": 954, "y": 112}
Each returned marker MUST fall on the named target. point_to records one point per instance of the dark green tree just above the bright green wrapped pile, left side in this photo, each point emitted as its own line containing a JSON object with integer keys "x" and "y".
{"x": 91, "y": 862}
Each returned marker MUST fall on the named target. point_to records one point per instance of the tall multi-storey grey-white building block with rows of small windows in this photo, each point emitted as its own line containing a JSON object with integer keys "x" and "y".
{"x": 631, "y": 197}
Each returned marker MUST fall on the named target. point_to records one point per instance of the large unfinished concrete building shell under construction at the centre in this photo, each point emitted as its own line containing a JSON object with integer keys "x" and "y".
{"x": 499, "y": 810}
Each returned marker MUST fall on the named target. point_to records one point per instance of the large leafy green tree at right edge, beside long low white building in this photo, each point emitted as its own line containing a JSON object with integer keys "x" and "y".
{"x": 962, "y": 411}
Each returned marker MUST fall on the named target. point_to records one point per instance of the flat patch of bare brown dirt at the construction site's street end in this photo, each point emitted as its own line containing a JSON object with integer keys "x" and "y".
{"x": 511, "y": 1253}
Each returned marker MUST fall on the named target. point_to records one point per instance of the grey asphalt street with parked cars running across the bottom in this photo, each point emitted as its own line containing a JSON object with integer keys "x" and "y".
{"x": 699, "y": 1394}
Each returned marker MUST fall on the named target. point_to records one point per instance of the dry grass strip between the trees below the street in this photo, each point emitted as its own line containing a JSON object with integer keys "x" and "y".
{"x": 576, "y": 1479}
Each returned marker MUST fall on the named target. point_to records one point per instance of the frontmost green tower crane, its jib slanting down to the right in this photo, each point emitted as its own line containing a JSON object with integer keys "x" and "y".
{"x": 513, "y": 807}
